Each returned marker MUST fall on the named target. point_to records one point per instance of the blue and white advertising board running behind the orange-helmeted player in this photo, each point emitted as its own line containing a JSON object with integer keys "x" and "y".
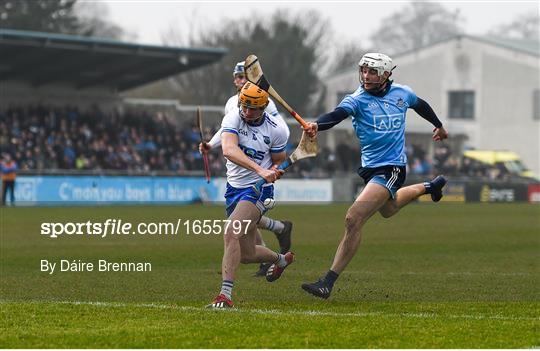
{"x": 91, "y": 190}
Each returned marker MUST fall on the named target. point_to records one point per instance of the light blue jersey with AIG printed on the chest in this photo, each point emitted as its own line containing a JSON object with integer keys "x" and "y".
{"x": 379, "y": 122}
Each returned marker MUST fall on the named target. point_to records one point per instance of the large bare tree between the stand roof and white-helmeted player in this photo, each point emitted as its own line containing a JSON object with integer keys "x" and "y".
{"x": 290, "y": 48}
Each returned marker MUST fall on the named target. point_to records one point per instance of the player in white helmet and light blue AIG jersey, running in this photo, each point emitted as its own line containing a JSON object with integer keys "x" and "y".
{"x": 378, "y": 108}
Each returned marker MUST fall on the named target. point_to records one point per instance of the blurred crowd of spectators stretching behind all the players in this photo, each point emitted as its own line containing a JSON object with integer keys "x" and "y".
{"x": 142, "y": 142}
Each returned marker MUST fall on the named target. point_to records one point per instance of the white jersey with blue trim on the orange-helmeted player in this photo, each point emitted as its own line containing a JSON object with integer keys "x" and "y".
{"x": 257, "y": 142}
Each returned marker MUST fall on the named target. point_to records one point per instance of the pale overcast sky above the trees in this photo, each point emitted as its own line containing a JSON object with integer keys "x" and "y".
{"x": 150, "y": 20}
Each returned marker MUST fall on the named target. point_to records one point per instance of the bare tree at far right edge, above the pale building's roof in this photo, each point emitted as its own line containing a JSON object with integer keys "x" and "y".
{"x": 525, "y": 26}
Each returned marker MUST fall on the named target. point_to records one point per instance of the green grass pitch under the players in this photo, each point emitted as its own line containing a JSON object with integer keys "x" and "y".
{"x": 434, "y": 276}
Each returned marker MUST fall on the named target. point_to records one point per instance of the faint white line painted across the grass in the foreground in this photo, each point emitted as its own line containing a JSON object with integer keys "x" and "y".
{"x": 290, "y": 312}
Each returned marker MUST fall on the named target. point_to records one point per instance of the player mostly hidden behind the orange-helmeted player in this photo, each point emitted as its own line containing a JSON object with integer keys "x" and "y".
{"x": 282, "y": 229}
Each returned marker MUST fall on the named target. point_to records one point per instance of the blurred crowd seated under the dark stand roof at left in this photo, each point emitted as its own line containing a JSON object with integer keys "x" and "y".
{"x": 66, "y": 138}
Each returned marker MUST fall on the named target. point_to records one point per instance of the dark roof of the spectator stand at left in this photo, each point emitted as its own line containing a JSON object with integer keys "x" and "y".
{"x": 84, "y": 62}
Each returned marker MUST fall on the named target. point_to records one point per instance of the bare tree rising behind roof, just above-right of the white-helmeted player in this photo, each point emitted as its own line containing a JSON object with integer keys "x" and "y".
{"x": 416, "y": 25}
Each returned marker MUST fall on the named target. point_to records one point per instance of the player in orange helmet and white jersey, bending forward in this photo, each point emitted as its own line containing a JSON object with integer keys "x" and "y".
{"x": 254, "y": 145}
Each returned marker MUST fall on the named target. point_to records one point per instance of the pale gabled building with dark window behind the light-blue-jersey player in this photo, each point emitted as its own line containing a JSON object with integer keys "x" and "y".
{"x": 485, "y": 91}
